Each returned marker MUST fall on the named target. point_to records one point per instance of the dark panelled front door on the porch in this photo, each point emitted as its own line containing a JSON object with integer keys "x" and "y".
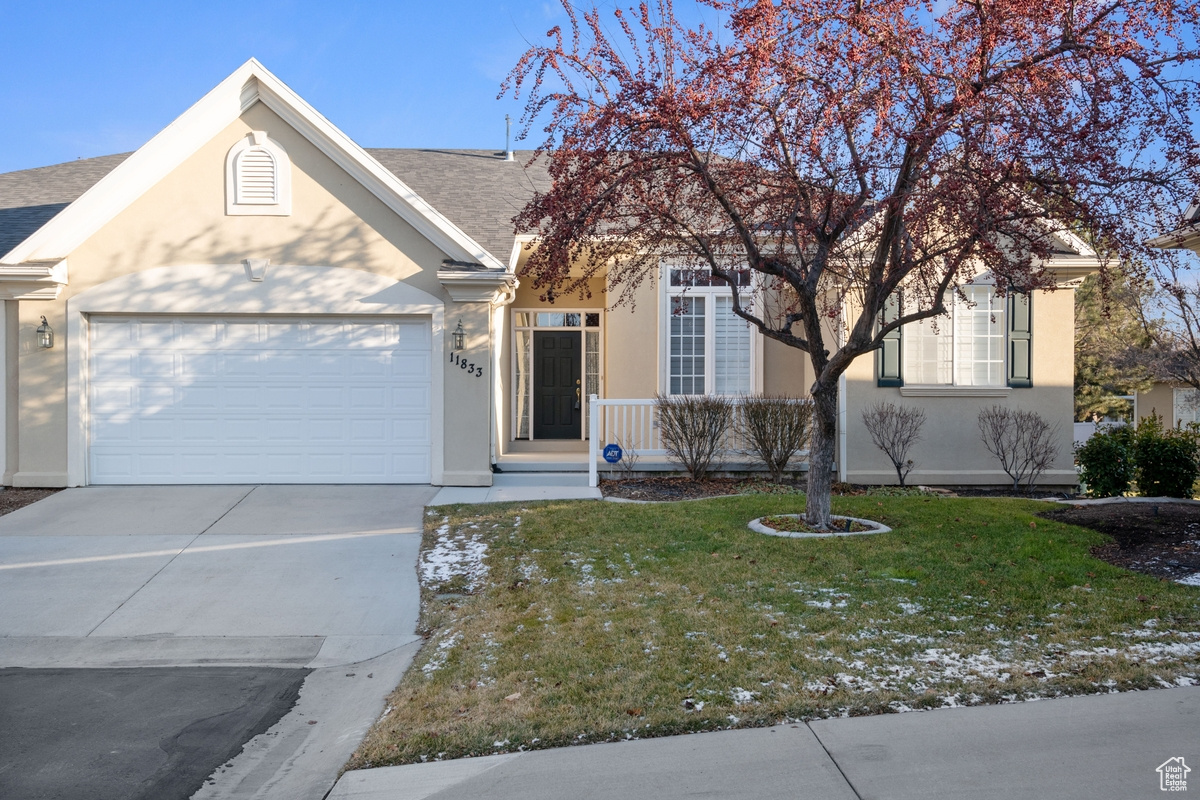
{"x": 559, "y": 396}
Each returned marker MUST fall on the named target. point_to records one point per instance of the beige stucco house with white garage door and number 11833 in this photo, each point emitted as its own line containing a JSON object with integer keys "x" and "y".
{"x": 251, "y": 297}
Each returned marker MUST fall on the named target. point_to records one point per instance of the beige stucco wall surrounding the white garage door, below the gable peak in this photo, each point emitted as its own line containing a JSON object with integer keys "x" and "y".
{"x": 334, "y": 222}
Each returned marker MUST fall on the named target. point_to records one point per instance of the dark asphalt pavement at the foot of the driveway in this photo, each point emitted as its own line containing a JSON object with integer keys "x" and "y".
{"x": 131, "y": 735}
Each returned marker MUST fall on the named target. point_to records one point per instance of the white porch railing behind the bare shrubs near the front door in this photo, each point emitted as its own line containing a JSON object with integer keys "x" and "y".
{"x": 632, "y": 425}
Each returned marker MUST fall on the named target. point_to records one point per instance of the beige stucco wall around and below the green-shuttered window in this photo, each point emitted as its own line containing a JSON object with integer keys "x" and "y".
{"x": 951, "y": 453}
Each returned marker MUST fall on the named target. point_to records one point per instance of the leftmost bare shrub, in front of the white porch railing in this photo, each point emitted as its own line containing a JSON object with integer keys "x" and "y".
{"x": 693, "y": 429}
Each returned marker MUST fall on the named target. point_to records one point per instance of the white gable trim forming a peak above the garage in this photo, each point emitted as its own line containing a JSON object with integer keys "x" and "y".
{"x": 251, "y": 83}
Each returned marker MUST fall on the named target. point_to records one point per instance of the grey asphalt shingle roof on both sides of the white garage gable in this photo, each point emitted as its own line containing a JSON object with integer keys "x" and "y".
{"x": 477, "y": 190}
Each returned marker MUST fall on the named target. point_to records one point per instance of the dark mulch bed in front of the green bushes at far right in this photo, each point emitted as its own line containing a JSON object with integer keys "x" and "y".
{"x": 1162, "y": 540}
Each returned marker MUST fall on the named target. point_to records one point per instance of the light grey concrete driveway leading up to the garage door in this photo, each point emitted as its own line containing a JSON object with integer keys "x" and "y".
{"x": 268, "y": 578}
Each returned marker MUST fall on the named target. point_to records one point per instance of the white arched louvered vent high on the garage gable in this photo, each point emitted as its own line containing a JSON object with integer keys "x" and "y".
{"x": 259, "y": 178}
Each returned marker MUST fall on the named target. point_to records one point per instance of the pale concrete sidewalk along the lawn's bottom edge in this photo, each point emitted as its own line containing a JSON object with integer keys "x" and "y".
{"x": 1088, "y": 748}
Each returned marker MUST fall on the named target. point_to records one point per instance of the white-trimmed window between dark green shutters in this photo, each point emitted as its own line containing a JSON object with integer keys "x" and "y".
{"x": 964, "y": 350}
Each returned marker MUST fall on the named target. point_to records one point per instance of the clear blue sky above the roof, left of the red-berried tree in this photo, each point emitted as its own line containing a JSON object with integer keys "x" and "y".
{"x": 92, "y": 79}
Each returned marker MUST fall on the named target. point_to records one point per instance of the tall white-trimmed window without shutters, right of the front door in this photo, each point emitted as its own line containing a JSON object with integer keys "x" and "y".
{"x": 710, "y": 350}
